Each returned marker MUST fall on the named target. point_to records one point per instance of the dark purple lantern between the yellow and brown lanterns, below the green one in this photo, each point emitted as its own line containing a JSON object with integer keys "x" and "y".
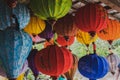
{"x": 47, "y": 33}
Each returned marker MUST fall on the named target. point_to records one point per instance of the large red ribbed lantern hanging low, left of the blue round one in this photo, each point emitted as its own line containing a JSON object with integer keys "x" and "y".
{"x": 49, "y": 59}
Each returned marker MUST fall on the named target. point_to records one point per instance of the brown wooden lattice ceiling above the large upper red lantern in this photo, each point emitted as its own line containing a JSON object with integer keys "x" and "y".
{"x": 112, "y": 6}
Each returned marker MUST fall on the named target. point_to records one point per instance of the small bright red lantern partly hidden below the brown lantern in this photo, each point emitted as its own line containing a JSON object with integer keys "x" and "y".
{"x": 65, "y": 41}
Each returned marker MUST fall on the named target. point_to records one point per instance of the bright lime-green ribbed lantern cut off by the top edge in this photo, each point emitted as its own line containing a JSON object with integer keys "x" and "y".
{"x": 50, "y": 9}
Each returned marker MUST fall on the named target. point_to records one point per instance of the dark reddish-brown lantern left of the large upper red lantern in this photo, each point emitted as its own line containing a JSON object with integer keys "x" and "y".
{"x": 65, "y": 26}
